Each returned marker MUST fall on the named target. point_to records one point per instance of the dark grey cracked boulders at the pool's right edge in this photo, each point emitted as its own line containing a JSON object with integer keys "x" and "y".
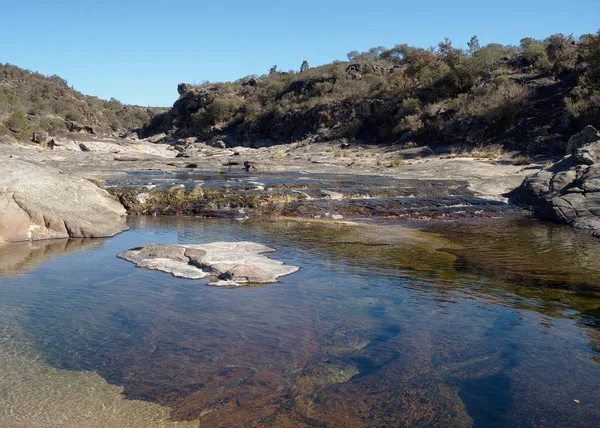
{"x": 569, "y": 191}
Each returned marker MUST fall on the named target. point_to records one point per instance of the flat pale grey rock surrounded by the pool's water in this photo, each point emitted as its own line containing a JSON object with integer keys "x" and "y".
{"x": 233, "y": 263}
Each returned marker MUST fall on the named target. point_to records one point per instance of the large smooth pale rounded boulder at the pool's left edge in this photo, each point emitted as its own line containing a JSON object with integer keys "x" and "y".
{"x": 39, "y": 202}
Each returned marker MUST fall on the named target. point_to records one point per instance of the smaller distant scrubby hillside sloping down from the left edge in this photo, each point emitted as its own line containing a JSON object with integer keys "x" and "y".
{"x": 30, "y": 102}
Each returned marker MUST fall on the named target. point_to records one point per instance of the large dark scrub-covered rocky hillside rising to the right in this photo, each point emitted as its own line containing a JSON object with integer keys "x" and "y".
{"x": 530, "y": 97}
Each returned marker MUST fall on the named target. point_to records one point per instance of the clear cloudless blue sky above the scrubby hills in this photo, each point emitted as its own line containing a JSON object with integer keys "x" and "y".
{"x": 138, "y": 51}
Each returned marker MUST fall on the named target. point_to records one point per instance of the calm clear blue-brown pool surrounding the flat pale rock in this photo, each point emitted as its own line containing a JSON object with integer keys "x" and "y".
{"x": 380, "y": 327}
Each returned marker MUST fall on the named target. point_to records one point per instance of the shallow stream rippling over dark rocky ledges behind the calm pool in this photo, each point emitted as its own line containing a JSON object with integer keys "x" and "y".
{"x": 297, "y": 194}
